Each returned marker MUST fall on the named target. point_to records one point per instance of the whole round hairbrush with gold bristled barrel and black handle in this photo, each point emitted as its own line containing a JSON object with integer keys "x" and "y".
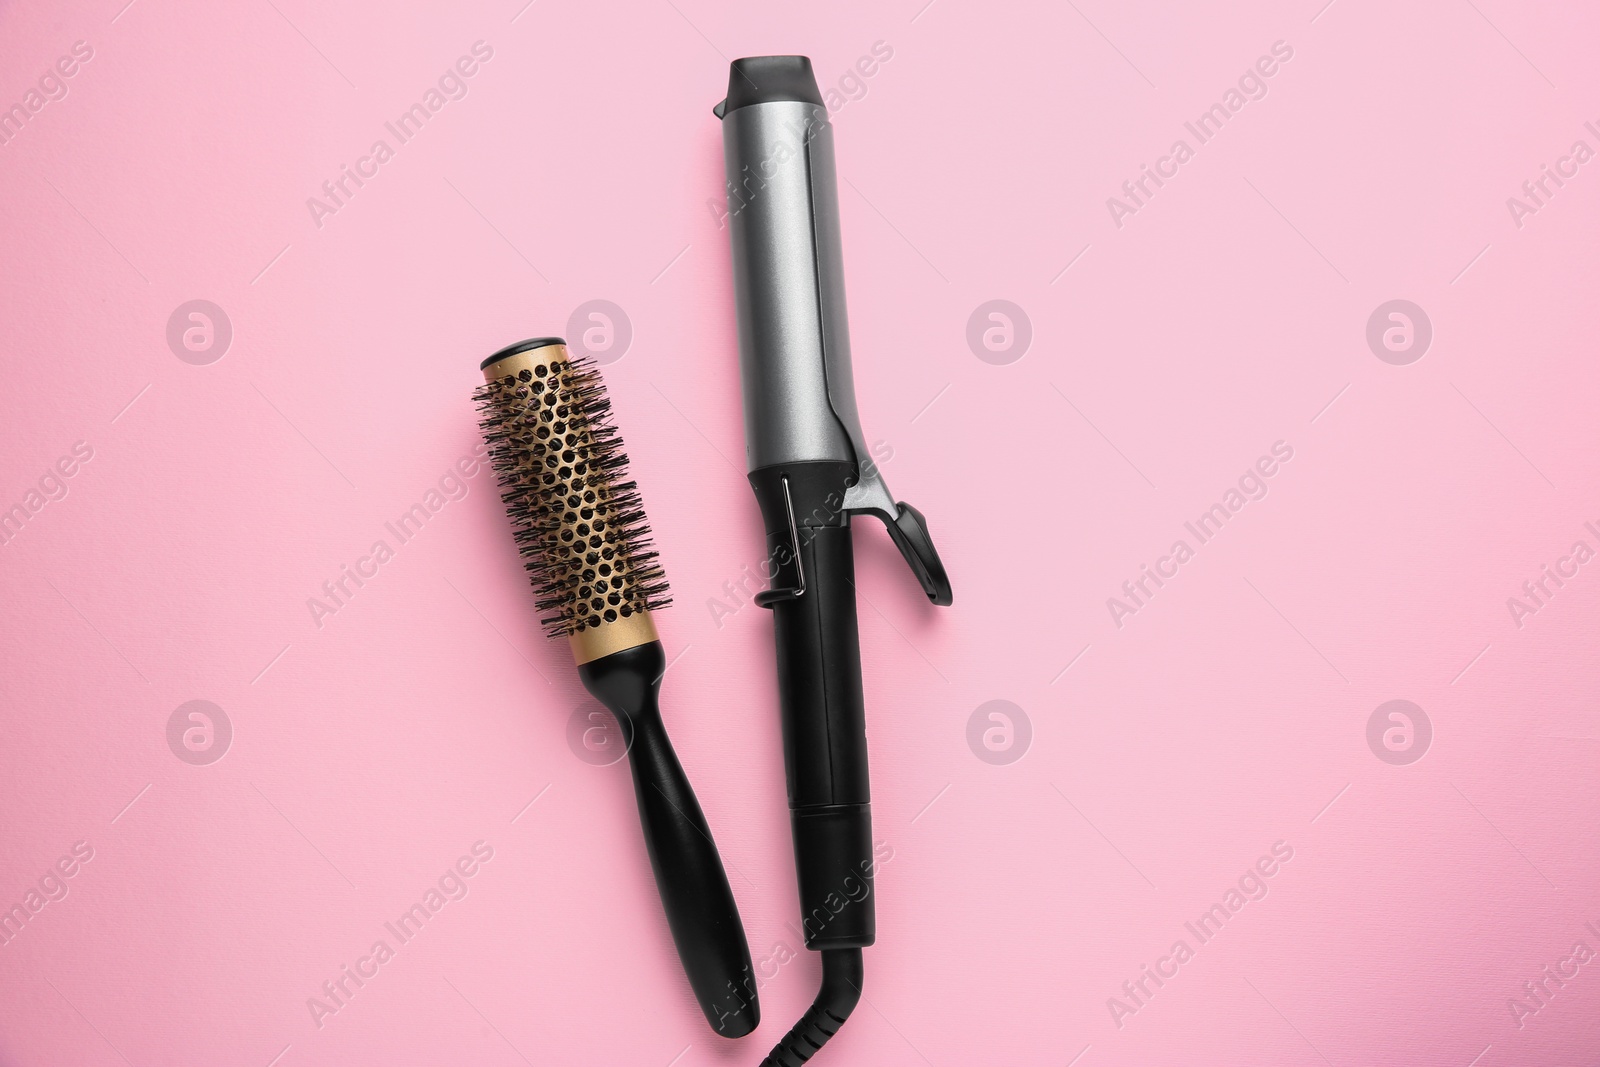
{"x": 585, "y": 540}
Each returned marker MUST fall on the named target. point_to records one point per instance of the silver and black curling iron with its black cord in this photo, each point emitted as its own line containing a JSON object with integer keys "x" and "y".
{"x": 810, "y": 470}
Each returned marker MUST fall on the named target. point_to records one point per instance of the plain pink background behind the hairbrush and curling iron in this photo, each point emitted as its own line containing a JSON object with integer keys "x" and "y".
{"x": 1230, "y": 714}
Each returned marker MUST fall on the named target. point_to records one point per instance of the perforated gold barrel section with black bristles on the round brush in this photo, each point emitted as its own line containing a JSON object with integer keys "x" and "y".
{"x": 580, "y": 524}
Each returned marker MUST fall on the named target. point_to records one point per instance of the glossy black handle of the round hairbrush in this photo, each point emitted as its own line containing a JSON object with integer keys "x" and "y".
{"x": 694, "y": 885}
